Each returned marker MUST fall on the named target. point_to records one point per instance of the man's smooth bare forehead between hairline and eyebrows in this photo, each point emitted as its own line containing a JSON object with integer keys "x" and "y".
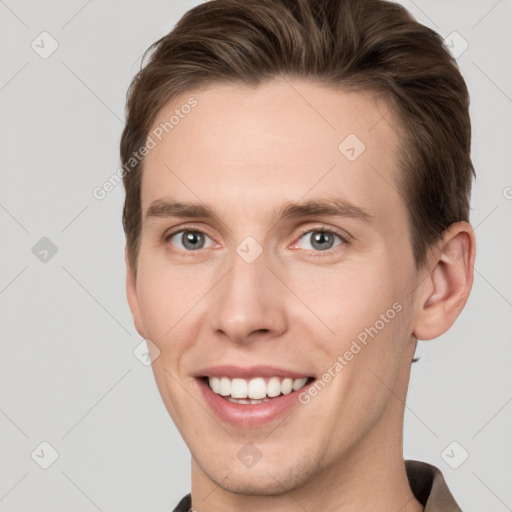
{"x": 258, "y": 147}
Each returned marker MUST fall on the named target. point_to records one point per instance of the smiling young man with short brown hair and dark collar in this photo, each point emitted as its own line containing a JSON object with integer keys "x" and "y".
{"x": 298, "y": 179}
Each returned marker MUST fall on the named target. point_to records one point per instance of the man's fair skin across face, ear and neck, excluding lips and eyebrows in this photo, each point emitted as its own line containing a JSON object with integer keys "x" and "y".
{"x": 243, "y": 151}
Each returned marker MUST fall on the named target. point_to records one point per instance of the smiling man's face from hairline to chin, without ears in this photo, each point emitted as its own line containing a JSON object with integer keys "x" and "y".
{"x": 262, "y": 291}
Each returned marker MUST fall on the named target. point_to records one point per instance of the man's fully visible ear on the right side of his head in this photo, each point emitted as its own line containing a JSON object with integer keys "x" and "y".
{"x": 444, "y": 293}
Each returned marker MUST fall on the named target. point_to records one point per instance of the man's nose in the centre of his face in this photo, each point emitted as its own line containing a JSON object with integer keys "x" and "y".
{"x": 248, "y": 302}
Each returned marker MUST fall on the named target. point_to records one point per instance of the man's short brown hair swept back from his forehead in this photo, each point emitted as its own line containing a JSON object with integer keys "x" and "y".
{"x": 351, "y": 45}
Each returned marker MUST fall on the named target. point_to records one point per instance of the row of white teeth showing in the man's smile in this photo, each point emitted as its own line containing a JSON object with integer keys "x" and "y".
{"x": 255, "y": 390}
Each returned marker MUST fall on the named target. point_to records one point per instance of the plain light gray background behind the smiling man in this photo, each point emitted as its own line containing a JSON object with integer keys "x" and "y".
{"x": 68, "y": 372}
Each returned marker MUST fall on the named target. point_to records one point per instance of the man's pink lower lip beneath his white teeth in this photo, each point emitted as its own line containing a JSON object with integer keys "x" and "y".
{"x": 249, "y": 414}
